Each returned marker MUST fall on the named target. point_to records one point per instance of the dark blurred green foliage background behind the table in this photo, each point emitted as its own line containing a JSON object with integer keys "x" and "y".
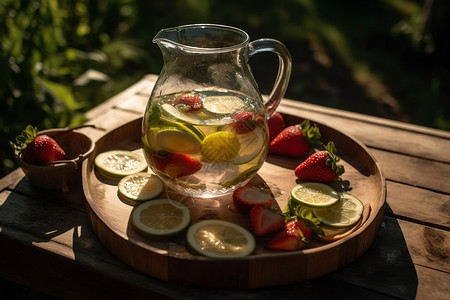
{"x": 60, "y": 58}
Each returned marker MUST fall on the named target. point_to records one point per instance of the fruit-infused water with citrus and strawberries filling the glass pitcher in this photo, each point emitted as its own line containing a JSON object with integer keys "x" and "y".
{"x": 205, "y": 143}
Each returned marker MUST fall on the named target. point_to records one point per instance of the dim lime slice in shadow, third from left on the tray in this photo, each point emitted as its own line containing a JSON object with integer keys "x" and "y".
{"x": 161, "y": 217}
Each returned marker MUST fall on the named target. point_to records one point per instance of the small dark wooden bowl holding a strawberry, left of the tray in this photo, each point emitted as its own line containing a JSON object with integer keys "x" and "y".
{"x": 62, "y": 173}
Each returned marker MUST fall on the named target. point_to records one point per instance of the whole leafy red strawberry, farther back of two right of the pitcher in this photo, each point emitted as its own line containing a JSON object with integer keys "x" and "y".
{"x": 295, "y": 140}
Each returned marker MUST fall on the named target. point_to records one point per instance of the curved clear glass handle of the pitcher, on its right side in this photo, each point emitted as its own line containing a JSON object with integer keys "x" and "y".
{"x": 284, "y": 69}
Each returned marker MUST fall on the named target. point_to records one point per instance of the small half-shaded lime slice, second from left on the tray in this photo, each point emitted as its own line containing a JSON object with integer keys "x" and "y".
{"x": 141, "y": 186}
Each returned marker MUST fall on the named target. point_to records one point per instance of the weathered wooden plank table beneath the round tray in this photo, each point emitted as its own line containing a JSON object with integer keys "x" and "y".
{"x": 46, "y": 241}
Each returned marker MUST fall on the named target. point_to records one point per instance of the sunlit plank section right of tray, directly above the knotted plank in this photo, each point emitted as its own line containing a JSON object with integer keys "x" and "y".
{"x": 416, "y": 204}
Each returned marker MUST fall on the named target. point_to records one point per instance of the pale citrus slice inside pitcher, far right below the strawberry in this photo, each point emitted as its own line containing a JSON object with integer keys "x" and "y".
{"x": 251, "y": 145}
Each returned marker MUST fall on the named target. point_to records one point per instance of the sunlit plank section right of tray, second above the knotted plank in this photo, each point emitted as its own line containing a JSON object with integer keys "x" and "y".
{"x": 414, "y": 171}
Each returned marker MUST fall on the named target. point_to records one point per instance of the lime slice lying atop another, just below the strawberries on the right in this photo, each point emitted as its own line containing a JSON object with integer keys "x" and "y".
{"x": 313, "y": 194}
